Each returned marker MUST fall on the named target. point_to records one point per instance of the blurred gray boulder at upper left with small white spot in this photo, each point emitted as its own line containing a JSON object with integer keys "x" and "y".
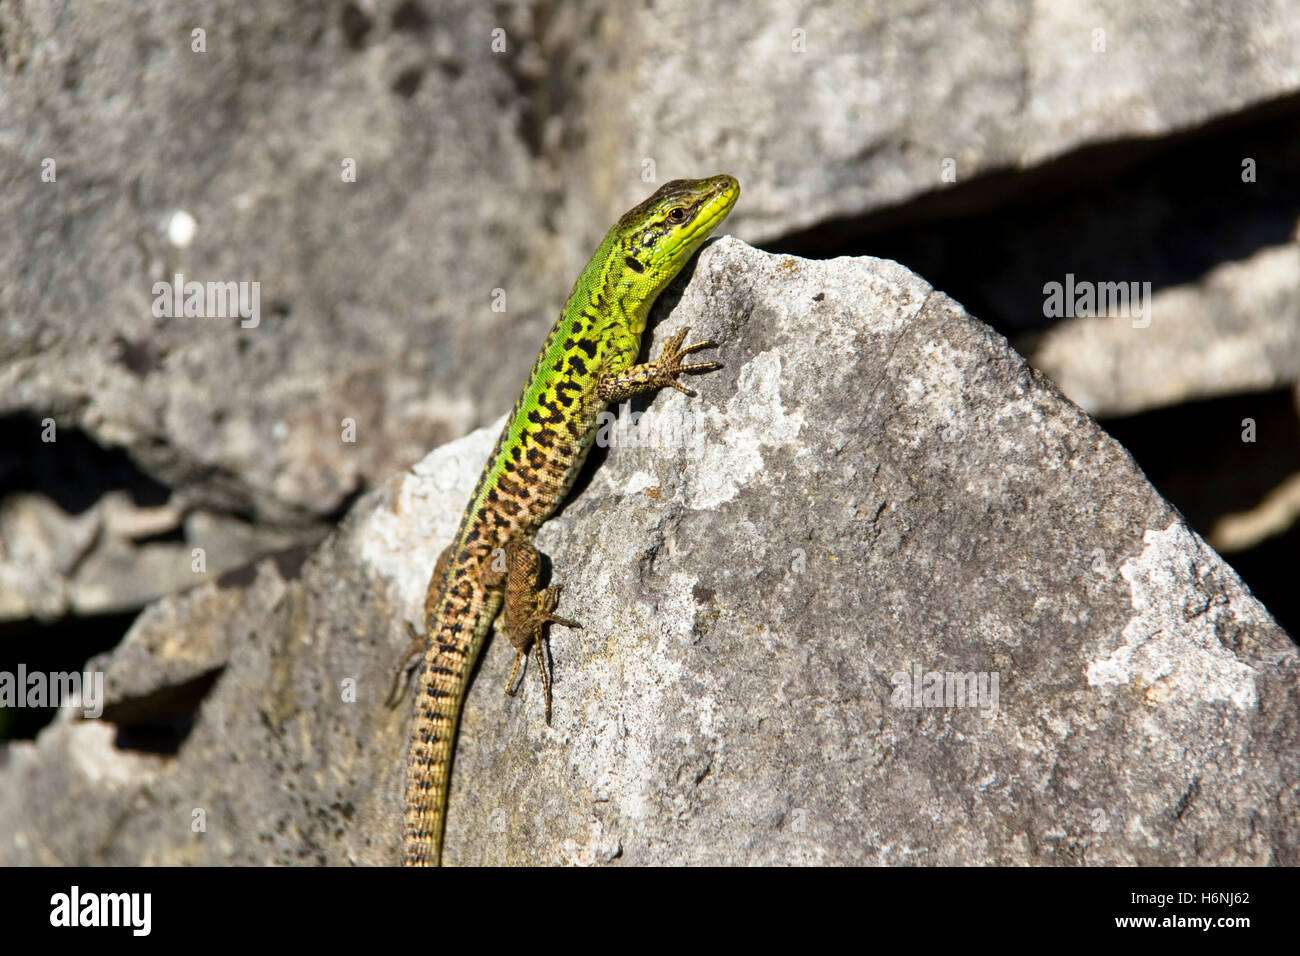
{"x": 146, "y": 133}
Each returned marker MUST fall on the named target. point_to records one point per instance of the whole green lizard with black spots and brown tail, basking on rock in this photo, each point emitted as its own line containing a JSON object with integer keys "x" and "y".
{"x": 587, "y": 364}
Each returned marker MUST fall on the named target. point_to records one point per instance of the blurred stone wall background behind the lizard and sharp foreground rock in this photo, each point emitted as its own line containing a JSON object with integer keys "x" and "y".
{"x": 393, "y": 172}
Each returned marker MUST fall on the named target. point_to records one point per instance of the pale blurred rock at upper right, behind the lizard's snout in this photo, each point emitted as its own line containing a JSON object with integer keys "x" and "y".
{"x": 834, "y": 114}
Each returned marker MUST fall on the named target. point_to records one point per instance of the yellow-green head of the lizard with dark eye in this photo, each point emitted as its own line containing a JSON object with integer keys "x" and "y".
{"x": 658, "y": 237}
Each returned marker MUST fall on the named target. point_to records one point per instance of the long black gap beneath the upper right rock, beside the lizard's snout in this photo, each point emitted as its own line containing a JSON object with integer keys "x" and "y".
{"x": 1163, "y": 211}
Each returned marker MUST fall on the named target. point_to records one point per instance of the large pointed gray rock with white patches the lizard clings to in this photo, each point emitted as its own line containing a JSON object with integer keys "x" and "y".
{"x": 876, "y": 490}
